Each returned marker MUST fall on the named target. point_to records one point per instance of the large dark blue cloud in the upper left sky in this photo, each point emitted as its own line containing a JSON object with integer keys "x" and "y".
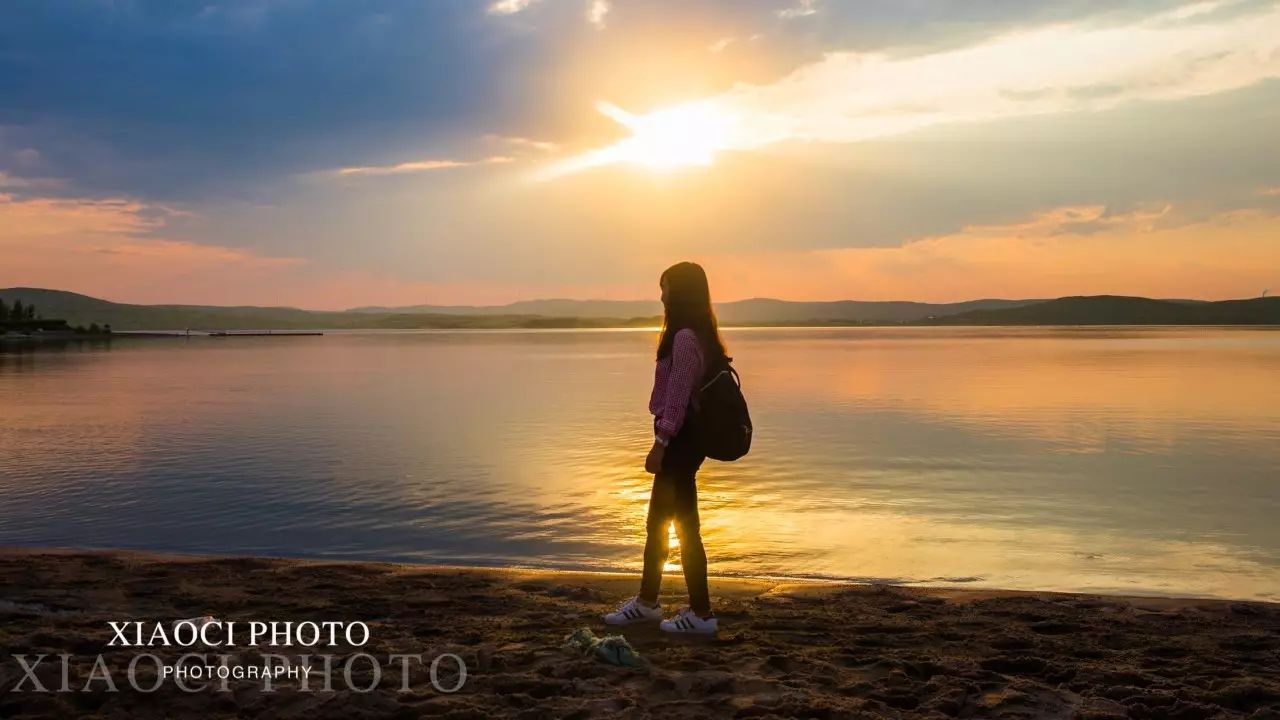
{"x": 172, "y": 98}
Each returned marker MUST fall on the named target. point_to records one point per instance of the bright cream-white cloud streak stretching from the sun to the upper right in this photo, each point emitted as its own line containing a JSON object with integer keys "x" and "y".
{"x": 1063, "y": 69}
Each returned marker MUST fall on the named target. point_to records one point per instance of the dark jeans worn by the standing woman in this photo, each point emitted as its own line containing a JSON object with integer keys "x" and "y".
{"x": 675, "y": 498}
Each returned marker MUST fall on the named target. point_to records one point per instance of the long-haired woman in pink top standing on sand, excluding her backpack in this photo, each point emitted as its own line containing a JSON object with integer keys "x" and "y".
{"x": 689, "y": 347}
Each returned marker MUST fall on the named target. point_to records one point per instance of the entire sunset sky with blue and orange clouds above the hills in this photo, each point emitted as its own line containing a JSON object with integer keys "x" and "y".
{"x": 452, "y": 152}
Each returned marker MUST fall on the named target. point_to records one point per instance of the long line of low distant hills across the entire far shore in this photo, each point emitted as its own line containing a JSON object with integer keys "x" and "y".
{"x": 83, "y": 311}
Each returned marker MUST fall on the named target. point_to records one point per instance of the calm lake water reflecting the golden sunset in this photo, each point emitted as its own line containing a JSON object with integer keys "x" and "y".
{"x": 1114, "y": 461}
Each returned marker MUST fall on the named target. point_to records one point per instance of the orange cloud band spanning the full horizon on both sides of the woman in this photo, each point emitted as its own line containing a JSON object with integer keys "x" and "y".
{"x": 111, "y": 249}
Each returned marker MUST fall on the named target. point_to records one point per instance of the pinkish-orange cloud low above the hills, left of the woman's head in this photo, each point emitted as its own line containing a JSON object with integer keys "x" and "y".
{"x": 108, "y": 249}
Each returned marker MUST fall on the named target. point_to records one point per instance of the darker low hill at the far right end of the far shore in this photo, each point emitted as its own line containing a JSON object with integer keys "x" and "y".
{"x": 1119, "y": 311}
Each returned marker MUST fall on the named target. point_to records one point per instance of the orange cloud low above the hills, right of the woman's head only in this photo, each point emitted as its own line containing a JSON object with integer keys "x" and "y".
{"x": 1063, "y": 252}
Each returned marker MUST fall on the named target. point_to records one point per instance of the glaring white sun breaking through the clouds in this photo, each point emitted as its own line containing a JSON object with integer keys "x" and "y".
{"x": 665, "y": 140}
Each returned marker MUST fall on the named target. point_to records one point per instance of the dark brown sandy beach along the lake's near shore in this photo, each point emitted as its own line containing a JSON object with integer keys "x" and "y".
{"x": 785, "y": 650}
